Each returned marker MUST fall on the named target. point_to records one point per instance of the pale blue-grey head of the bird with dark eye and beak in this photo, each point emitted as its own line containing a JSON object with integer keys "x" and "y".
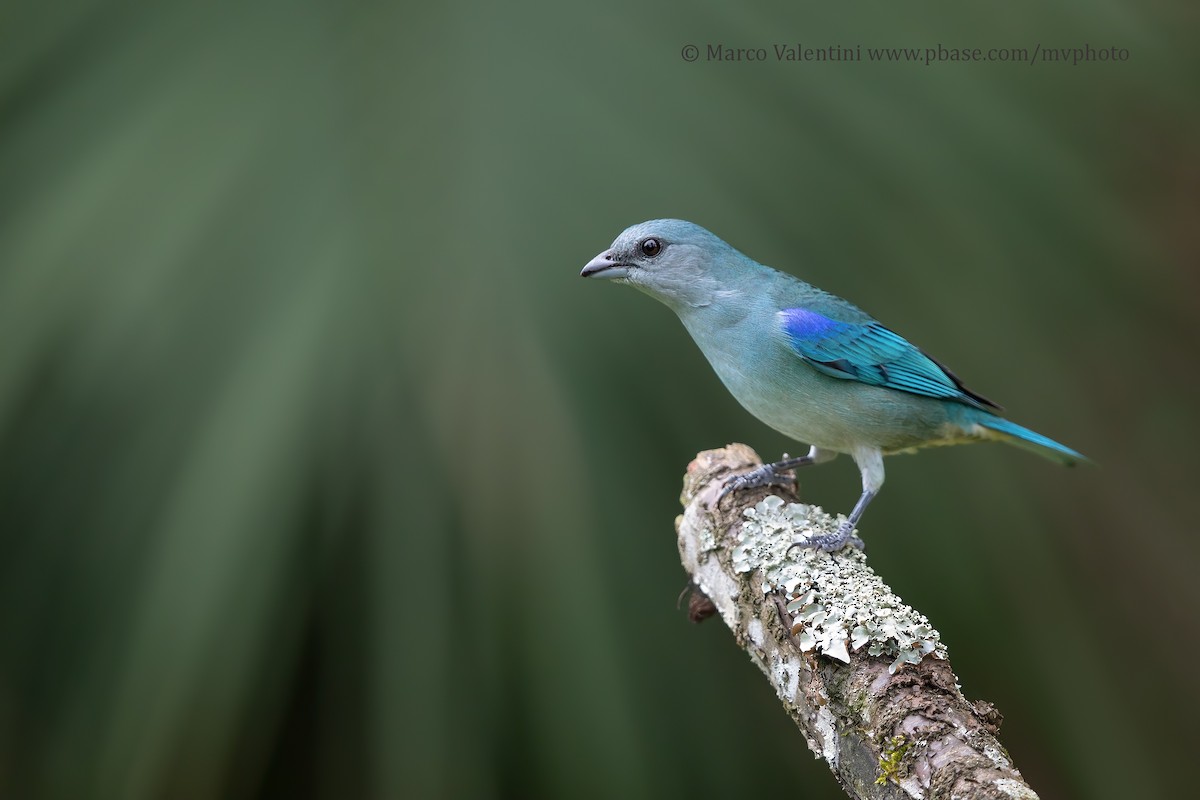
{"x": 673, "y": 261}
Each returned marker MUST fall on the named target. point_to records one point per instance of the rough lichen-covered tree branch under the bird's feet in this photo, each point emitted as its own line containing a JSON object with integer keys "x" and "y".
{"x": 863, "y": 676}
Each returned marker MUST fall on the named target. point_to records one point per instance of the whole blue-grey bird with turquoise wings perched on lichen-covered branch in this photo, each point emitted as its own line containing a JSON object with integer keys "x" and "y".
{"x": 808, "y": 364}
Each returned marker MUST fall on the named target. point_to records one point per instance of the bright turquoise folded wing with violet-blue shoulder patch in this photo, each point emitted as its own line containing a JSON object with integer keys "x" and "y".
{"x": 872, "y": 354}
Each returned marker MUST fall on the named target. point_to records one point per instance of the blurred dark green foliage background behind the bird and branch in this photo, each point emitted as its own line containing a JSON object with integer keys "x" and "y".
{"x": 322, "y": 474}
